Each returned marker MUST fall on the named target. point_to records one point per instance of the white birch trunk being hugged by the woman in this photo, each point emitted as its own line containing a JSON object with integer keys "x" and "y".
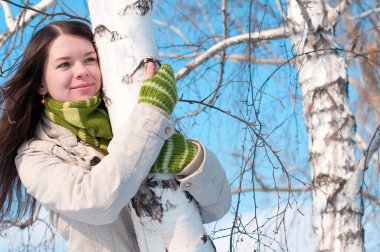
{"x": 165, "y": 218}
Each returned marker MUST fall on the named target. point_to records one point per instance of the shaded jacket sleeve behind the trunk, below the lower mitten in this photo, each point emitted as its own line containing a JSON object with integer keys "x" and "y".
{"x": 205, "y": 179}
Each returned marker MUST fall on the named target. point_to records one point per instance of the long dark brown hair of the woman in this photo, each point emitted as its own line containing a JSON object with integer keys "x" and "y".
{"x": 21, "y": 111}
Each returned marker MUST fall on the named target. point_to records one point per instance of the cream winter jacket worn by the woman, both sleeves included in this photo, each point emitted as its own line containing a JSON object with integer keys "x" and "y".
{"x": 87, "y": 193}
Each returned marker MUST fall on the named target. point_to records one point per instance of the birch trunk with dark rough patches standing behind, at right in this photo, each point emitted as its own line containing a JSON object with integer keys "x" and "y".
{"x": 337, "y": 181}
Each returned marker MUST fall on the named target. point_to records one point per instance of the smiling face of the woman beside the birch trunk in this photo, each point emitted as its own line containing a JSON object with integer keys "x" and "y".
{"x": 71, "y": 70}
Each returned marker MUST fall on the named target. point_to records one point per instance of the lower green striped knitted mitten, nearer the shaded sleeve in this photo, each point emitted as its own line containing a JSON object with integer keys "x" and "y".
{"x": 175, "y": 155}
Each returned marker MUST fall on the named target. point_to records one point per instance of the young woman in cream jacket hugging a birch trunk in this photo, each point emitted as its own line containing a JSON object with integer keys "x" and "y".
{"x": 56, "y": 148}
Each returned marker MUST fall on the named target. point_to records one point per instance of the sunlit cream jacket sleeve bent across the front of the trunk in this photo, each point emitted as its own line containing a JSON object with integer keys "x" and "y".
{"x": 98, "y": 195}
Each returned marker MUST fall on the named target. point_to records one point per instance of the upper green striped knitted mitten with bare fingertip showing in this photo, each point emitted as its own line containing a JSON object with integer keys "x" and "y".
{"x": 160, "y": 90}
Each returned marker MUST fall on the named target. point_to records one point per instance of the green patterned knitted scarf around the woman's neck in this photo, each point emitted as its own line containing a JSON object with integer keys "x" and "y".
{"x": 87, "y": 119}
